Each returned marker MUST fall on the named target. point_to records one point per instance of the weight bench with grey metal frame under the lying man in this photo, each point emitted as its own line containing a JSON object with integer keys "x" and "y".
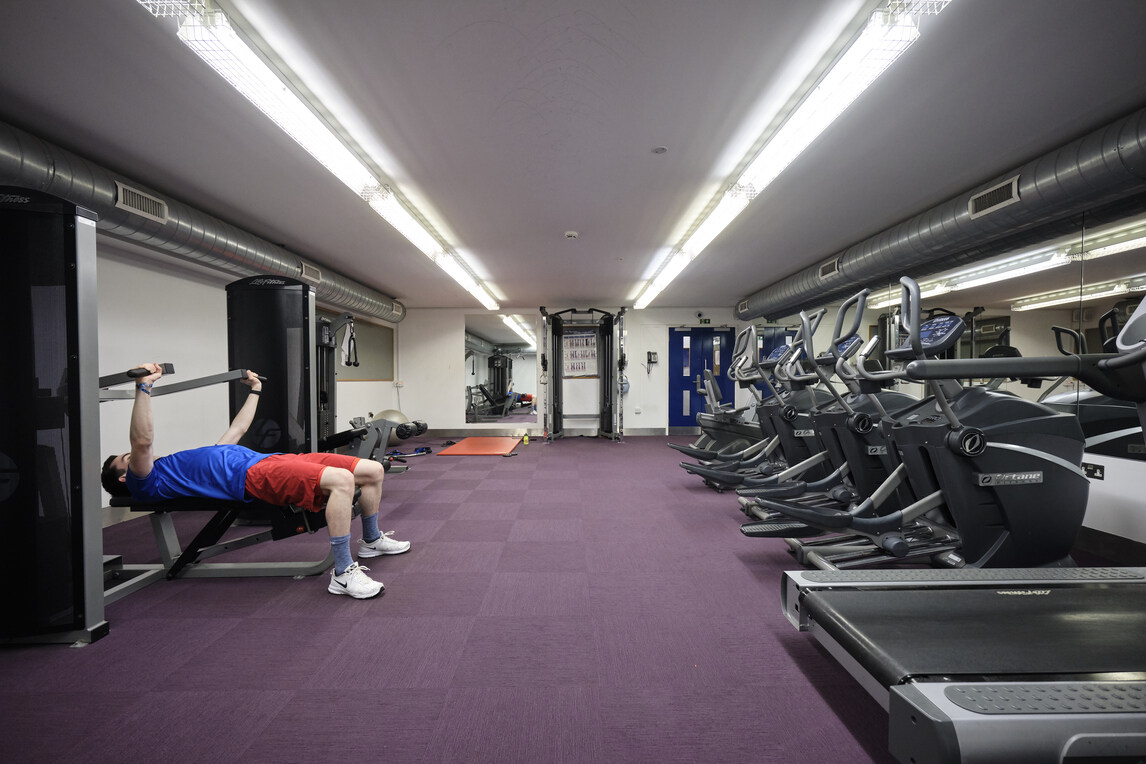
{"x": 189, "y": 563}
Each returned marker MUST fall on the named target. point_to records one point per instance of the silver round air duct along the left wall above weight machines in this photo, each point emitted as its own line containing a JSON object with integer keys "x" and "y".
{"x": 132, "y": 212}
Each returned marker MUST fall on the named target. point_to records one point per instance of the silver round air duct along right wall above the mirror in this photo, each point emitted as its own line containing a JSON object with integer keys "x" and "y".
{"x": 1102, "y": 174}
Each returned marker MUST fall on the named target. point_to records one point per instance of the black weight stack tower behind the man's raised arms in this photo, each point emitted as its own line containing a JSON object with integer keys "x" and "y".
{"x": 271, "y": 330}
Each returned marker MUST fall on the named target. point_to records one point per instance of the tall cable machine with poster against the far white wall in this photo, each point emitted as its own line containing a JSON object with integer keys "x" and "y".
{"x": 583, "y": 367}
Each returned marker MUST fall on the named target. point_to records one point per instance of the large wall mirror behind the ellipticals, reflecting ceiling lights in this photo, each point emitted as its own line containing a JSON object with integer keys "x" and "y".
{"x": 1079, "y": 287}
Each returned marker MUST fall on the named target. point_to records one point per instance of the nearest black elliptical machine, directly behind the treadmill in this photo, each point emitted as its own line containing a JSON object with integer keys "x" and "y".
{"x": 999, "y": 474}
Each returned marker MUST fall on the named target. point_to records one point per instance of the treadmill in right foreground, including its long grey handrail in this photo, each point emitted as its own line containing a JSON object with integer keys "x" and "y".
{"x": 1006, "y": 665}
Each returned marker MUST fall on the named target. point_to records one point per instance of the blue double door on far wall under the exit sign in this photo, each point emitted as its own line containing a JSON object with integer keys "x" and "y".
{"x": 690, "y": 353}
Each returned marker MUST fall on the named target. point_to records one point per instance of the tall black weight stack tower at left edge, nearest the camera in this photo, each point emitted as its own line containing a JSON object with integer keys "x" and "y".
{"x": 51, "y": 509}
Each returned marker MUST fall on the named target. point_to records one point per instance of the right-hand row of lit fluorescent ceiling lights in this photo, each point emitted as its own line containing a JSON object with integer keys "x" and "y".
{"x": 883, "y": 41}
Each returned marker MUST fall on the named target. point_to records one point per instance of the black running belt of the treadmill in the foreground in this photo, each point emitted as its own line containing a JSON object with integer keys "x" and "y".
{"x": 1010, "y": 632}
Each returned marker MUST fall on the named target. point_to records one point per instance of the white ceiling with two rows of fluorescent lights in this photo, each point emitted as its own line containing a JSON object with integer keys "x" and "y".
{"x": 513, "y": 122}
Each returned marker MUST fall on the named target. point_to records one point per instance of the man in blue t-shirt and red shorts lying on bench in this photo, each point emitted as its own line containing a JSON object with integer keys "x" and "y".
{"x": 229, "y": 471}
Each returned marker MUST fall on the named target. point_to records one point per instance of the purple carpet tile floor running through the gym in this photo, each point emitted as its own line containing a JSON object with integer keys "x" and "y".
{"x": 579, "y": 602}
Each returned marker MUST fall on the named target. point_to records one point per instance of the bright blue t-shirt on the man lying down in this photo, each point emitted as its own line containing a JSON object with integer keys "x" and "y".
{"x": 208, "y": 472}
